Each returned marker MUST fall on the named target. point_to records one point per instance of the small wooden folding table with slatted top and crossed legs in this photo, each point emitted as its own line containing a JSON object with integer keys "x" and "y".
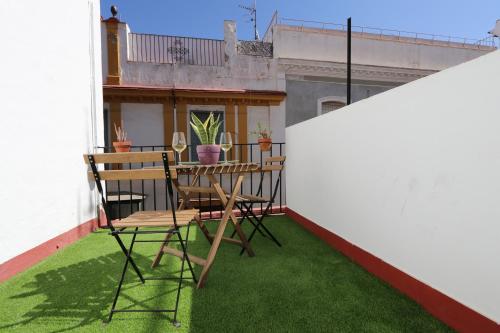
{"x": 227, "y": 201}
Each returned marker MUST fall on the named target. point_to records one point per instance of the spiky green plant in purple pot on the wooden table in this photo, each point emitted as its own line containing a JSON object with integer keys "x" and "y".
{"x": 208, "y": 152}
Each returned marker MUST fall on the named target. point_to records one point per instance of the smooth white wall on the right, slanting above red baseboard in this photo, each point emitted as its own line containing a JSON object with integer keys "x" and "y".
{"x": 412, "y": 176}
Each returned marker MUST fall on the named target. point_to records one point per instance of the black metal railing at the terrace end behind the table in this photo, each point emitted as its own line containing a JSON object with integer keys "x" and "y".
{"x": 126, "y": 197}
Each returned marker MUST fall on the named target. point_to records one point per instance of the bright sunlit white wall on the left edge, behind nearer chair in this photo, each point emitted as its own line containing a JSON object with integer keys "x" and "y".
{"x": 51, "y": 116}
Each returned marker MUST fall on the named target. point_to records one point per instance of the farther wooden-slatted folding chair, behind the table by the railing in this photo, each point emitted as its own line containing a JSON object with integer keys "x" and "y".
{"x": 245, "y": 203}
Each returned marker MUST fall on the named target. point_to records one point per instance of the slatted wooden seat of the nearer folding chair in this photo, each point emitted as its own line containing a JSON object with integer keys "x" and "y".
{"x": 158, "y": 218}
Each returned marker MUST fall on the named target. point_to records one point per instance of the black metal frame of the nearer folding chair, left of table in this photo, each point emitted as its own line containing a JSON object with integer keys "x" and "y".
{"x": 128, "y": 252}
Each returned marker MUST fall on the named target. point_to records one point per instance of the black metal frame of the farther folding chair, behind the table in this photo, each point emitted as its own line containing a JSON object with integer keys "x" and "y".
{"x": 247, "y": 213}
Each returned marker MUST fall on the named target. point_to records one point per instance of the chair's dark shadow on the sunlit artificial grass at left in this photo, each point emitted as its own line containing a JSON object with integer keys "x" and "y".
{"x": 83, "y": 292}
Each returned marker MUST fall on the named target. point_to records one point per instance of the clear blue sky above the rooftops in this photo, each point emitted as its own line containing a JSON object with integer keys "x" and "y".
{"x": 464, "y": 18}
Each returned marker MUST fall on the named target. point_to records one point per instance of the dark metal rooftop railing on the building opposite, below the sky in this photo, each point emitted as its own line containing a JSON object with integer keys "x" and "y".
{"x": 175, "y": 49}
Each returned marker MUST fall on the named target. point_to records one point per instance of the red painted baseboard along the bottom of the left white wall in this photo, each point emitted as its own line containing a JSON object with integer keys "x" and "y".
{"x": 42, "y": 251}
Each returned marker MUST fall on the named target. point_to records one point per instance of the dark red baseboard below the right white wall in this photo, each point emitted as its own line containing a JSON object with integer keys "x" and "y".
{"x": 448, "y": 310}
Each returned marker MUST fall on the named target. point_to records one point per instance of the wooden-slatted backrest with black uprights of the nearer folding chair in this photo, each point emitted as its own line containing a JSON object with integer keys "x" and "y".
{"x": 163, "y": 172}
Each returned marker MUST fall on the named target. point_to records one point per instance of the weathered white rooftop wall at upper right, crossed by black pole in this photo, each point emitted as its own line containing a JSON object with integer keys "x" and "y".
{"x": 330, "y": 45}
